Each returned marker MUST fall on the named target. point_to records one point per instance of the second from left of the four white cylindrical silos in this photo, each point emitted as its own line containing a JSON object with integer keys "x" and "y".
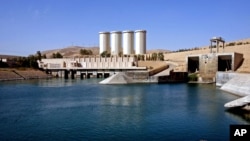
{"x": 116, "y": 42}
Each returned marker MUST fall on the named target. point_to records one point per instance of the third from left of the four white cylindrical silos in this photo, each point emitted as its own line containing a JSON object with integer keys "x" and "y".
{"x": 128, "y": 42}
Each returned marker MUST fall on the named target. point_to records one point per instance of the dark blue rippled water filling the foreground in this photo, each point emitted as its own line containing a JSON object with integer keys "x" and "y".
{"x": 59, "y": 109}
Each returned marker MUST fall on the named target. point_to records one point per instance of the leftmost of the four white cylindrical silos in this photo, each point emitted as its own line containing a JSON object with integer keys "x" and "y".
{"x": 104, "y": 42}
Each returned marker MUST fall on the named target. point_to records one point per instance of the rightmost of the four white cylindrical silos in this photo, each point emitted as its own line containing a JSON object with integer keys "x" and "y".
{"x": 140, "y": 42}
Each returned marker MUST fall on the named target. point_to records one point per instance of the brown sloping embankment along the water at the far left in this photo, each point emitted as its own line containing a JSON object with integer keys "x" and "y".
{"x": 15, "y": 74}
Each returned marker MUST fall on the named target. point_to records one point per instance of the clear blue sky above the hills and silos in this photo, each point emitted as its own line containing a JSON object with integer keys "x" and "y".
{"x": 28, "y": 26}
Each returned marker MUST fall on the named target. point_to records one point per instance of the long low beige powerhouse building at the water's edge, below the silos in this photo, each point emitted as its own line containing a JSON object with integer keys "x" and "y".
{"x": 89, "y": 66}
